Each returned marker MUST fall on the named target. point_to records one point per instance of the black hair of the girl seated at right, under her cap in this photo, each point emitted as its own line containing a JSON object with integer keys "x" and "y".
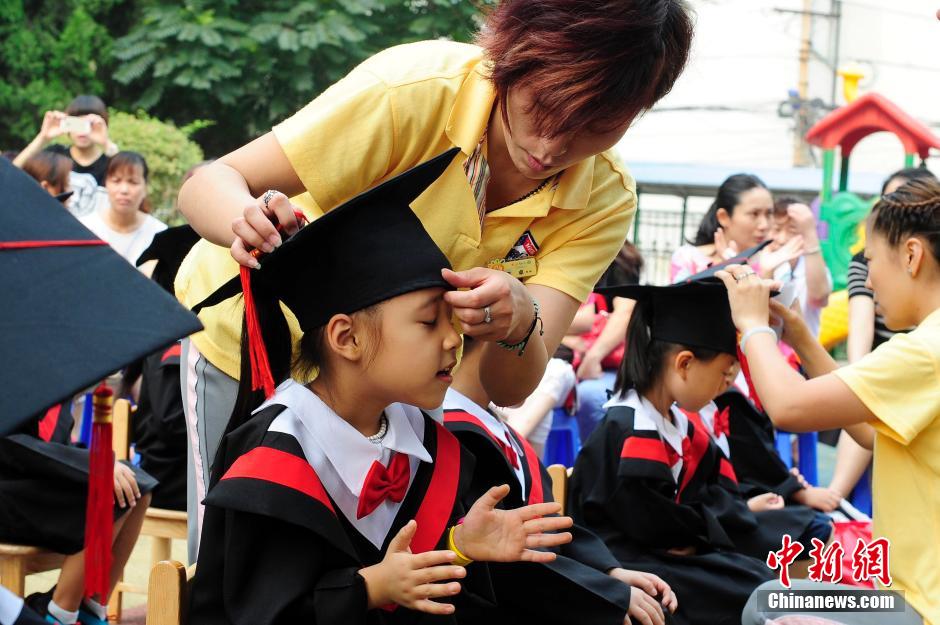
{"x": 644, "y": 358}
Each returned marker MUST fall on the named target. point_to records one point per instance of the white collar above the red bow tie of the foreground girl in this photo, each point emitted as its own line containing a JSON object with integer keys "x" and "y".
{"x": 351, "y": 453}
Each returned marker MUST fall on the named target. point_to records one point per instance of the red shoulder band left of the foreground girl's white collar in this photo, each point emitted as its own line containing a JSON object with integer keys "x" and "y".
{"x": 279, "y": 467}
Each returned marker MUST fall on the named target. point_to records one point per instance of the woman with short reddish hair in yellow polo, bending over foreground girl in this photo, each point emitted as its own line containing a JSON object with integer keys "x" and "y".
{"x": 535, "y": 108}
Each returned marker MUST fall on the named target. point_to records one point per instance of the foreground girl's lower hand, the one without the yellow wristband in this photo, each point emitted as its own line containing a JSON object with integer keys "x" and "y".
{"x": 412, "y": 580}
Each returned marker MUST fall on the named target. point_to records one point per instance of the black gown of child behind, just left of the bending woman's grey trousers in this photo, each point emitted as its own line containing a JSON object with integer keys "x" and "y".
{"x": 160, "y": 427}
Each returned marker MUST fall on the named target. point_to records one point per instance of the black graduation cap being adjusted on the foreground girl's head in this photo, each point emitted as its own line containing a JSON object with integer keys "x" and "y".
{"x": 368, "y": 250}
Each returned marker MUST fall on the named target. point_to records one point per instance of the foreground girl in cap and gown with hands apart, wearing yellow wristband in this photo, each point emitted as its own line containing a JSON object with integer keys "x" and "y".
{"x": 341, "y": 500}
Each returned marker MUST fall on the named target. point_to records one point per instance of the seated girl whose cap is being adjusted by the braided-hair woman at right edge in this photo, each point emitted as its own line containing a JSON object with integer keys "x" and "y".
{"x": 650, "y": 482}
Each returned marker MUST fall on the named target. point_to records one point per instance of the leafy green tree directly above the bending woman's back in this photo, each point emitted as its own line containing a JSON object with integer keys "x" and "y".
{"x": 248, "y": 64}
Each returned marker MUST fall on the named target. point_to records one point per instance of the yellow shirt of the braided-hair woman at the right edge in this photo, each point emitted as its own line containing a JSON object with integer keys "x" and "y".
{"x": 900, "y": 383}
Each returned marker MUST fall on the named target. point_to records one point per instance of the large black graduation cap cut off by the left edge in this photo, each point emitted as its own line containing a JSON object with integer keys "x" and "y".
{"x": 74, "y": 310}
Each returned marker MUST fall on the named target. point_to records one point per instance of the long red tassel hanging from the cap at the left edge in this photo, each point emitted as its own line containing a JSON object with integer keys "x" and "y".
{"x": 99, "y": 517}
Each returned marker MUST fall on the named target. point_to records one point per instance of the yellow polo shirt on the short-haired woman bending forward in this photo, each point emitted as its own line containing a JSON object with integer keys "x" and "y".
{"x": 398, "y": 109}
